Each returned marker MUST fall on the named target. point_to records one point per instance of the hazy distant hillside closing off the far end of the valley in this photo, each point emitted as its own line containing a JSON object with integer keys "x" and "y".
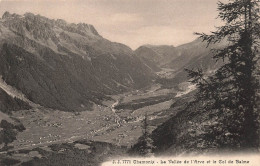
{"x": 172, "y": 61}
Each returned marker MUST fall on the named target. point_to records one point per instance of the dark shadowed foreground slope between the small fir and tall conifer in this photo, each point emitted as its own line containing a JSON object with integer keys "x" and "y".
{"x": 187, "y": 132}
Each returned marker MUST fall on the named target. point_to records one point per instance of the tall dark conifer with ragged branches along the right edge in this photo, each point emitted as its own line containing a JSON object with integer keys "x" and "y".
{"x": 231, "y": 92}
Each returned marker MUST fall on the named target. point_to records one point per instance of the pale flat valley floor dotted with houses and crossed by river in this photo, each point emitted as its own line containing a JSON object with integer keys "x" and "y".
{"x": 104, "y": 123}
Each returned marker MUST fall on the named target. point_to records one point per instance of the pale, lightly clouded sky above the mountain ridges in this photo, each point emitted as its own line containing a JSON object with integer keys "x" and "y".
{"x": 131, "y": 22}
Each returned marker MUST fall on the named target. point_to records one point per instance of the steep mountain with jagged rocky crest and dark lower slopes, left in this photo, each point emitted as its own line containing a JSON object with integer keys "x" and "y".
{"x": 65, "y": 66}
